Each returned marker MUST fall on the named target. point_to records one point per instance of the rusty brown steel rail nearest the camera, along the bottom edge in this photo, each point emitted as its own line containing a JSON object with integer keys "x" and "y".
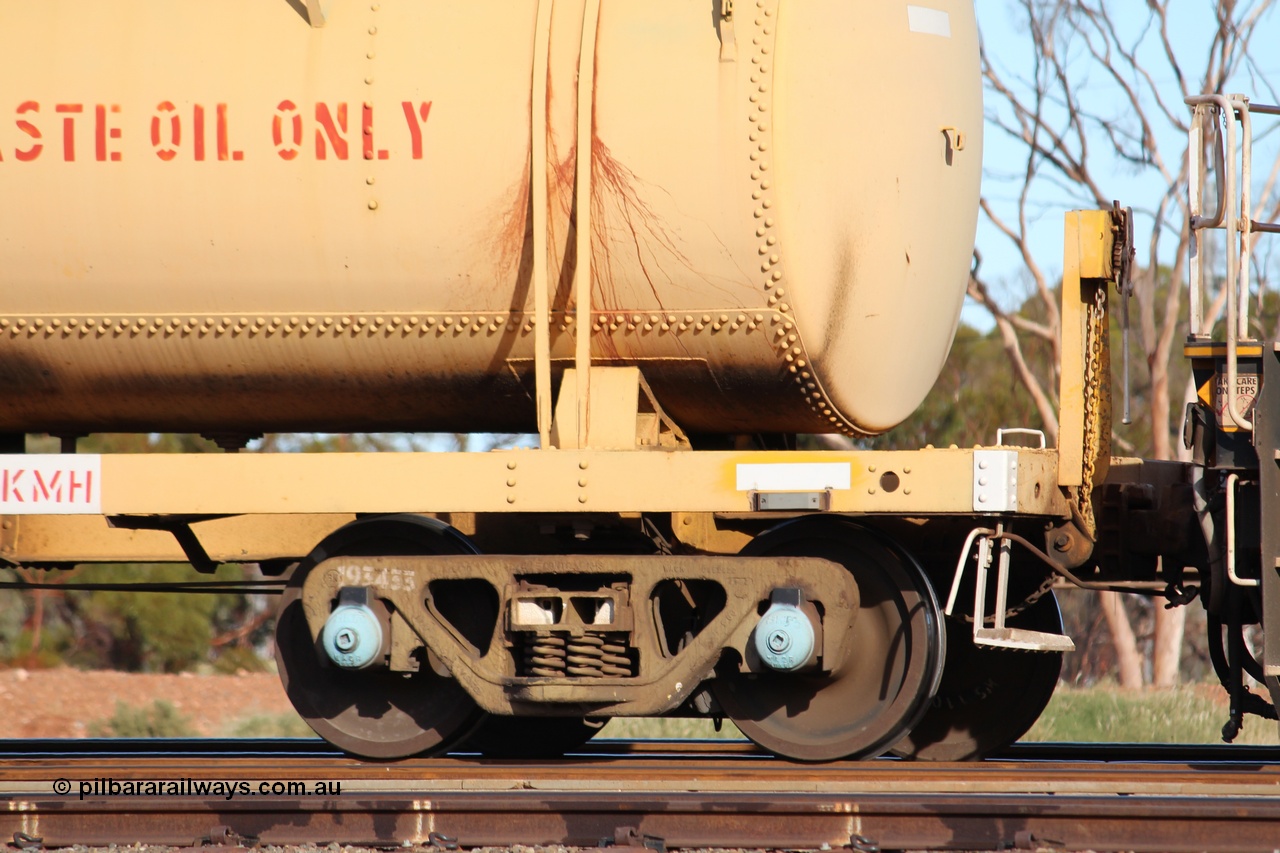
{"x": 680, "y": 819}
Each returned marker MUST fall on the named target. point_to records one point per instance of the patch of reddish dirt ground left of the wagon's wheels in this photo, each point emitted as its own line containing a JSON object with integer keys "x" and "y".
{"x": 63, "y": 703}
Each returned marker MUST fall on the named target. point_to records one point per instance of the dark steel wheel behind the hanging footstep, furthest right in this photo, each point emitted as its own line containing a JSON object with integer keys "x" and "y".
{"x": 989, "y": 697}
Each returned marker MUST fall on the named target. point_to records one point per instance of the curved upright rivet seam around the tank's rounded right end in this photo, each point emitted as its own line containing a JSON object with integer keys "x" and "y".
{"x": 785, "y": 340}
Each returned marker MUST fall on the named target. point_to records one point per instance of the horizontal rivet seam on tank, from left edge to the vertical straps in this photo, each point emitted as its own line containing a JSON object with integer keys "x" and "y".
{"x": 277, "y": 326}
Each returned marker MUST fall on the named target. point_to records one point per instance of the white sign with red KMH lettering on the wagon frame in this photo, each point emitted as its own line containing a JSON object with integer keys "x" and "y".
{"x": 51, "y": 485}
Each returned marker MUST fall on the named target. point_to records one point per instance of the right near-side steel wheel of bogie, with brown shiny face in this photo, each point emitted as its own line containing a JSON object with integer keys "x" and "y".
{"x": 892, "y": 668}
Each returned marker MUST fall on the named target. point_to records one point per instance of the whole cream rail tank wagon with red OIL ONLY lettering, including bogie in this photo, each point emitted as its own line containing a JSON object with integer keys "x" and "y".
{"x": 668, "y": 236}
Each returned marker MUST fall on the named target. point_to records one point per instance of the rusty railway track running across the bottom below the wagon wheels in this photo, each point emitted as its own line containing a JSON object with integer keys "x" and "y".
{"x": 642, "y": 795}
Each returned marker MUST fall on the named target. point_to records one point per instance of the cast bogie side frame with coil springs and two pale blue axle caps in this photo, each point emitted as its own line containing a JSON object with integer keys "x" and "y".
{"x": 580, "y": 636}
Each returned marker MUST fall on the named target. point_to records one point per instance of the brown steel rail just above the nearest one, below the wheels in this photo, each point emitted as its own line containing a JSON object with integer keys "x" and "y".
{"x": 659, "y": 774}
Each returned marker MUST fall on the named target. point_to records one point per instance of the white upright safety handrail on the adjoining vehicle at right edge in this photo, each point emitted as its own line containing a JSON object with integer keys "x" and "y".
{"x": 1233, "y": 216}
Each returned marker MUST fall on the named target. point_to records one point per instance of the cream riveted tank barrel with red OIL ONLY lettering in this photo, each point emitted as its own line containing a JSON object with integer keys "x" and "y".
{"x": 260, "y": 216}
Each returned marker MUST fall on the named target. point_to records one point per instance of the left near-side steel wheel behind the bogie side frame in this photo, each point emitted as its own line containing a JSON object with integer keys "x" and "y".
{"x": 376, "y": 714}
